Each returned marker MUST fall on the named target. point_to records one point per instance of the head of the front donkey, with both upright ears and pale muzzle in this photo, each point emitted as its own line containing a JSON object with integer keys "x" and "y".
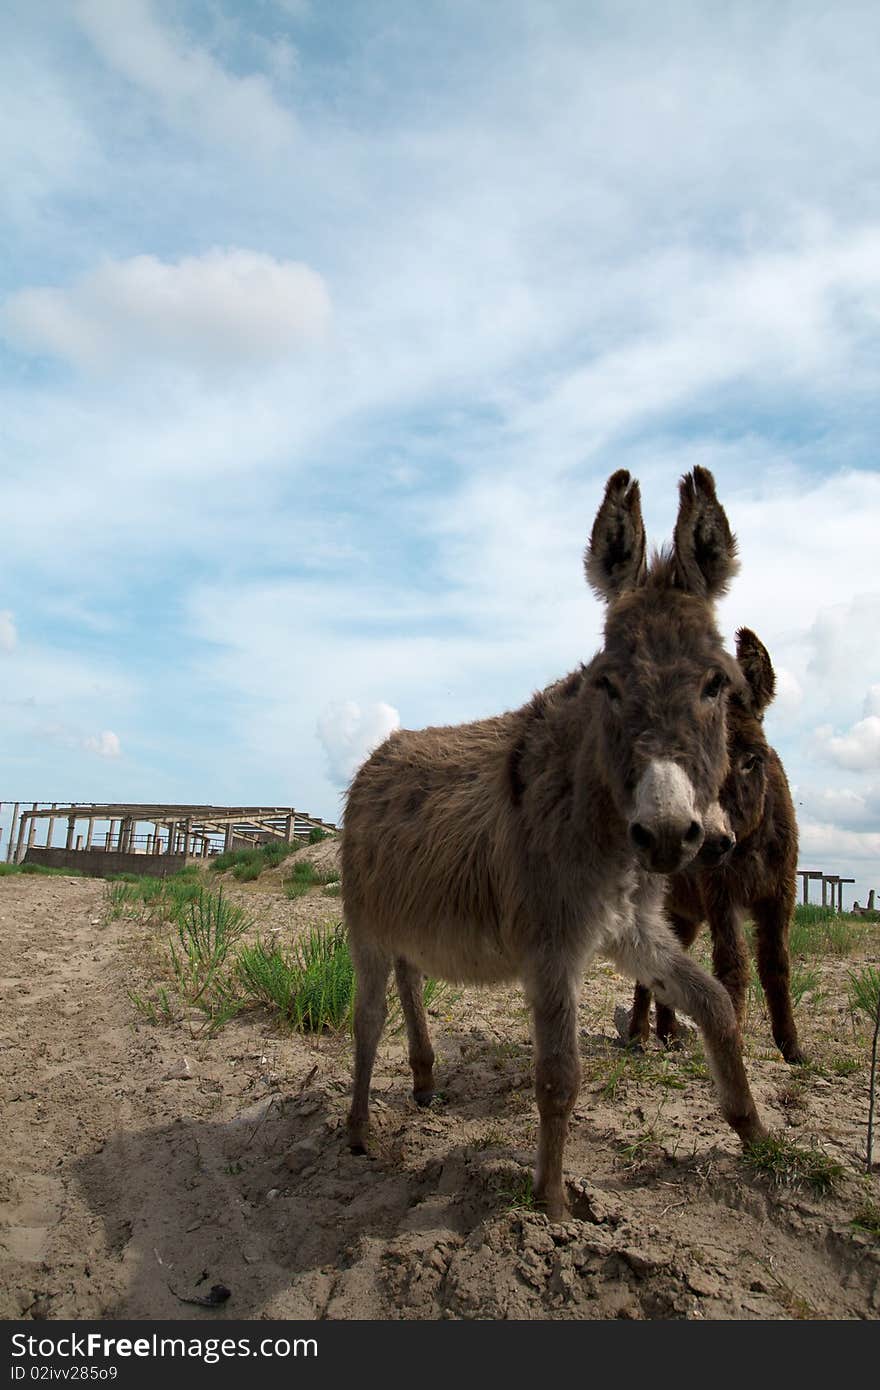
{"x": 664, "y": 678}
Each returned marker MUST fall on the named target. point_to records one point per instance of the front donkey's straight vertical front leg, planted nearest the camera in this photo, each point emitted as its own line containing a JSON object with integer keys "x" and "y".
{"x": 558, "y": 1078}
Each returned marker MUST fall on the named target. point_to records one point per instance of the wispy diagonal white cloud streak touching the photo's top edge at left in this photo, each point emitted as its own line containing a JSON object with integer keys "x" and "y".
{"x": 191, "y": 90}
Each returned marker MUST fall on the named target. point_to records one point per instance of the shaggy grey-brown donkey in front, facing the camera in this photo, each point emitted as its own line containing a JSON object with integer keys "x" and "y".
{"x": 522, "y": 846}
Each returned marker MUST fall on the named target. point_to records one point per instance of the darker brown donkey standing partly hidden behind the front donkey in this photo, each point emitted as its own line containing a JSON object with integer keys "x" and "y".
{"x": 757, "y": 879}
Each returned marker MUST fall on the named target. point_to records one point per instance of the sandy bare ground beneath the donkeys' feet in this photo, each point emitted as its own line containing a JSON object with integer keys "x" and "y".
{"x": 126, "y": 1189}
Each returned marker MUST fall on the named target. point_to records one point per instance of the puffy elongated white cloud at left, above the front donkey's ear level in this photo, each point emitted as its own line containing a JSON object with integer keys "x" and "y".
{"x": 220, "y": 309}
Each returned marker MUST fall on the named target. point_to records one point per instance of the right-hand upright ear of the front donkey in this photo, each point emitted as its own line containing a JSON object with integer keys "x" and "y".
{"x": 706, "y": 548}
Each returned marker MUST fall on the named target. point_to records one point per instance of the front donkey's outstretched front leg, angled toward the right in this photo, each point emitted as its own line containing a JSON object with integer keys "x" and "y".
{"x": 651, "y": 953}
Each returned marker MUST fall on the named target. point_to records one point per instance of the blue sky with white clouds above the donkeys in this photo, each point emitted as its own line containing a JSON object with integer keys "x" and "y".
{"x": 322, "y": 329}
